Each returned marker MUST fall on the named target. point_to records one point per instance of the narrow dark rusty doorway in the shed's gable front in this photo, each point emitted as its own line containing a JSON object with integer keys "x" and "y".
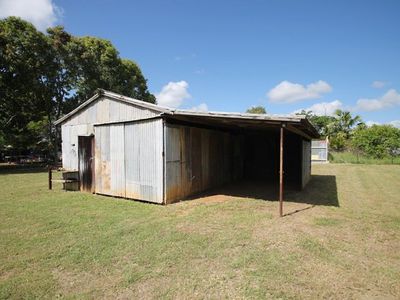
{"x": 86, "y": 163}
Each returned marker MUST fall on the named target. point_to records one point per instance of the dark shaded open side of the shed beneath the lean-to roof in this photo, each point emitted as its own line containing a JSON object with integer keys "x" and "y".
{"x": 212, "y": 154}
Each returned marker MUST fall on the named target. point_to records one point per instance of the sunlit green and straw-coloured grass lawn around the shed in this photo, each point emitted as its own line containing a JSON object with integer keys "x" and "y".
{"x": 75, "y": 245}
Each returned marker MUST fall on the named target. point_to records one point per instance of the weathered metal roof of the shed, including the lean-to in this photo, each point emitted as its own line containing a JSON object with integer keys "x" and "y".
{"x": 299, "y": 121}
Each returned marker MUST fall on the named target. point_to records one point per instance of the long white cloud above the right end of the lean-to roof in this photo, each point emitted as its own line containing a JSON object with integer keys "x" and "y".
{"x": 288, "y": 92}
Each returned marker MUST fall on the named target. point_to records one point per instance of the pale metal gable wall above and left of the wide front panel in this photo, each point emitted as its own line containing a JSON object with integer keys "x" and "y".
{"x": 103, "y": 110}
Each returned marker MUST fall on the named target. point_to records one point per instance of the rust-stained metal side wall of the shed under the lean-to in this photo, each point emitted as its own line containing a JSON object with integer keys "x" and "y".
{"x": 198, "y": 159}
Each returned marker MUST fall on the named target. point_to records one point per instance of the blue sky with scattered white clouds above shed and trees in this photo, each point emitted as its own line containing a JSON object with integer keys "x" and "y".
{"x": 229, "y": 55}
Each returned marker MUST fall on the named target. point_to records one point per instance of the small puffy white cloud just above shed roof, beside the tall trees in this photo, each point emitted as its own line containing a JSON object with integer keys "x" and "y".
{"x": 173, "y": 94}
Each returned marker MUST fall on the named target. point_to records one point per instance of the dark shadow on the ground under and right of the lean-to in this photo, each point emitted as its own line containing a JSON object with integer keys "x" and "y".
{"x": 321, "y": 190}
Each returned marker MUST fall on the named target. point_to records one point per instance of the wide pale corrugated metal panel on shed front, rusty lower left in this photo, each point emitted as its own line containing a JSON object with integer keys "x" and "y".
{"x": 129, "y": 161}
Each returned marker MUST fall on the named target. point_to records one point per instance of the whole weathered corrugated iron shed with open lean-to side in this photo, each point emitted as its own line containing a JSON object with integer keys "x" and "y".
{"x": 152, "y": 153}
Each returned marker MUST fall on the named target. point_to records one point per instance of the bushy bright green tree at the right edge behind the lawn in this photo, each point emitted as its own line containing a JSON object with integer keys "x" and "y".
{"x": 377, "y": 141}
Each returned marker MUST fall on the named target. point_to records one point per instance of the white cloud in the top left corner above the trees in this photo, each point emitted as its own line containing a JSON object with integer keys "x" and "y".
{"x": 42, "y": 13}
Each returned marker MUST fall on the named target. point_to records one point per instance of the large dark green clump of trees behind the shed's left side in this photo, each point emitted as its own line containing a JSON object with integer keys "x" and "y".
{"x": 43, "y": 76}
